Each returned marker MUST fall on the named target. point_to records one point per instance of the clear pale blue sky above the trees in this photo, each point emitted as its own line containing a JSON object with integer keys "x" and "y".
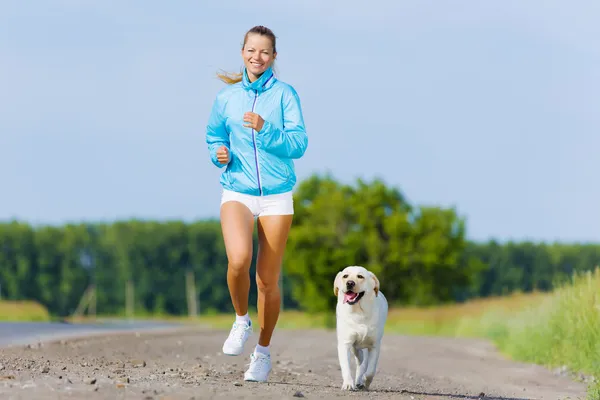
{"x": 491, "y": 107}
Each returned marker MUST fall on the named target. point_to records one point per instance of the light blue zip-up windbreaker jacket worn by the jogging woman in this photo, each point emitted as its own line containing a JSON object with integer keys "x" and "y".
{"x": 261, "y": 163}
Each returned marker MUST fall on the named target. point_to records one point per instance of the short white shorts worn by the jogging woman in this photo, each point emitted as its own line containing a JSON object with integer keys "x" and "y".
{"x": 274, "y": 204}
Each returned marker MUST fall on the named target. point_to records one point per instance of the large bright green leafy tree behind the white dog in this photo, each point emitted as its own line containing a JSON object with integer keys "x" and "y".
{"x": 416, "y": 253}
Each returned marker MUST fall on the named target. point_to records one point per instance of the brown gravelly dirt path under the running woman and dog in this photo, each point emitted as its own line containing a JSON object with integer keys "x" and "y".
{"x": 188, "y": 365}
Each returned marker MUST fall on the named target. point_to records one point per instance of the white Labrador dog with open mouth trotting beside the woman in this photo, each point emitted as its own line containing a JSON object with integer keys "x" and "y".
{"x": 361, "y": 312}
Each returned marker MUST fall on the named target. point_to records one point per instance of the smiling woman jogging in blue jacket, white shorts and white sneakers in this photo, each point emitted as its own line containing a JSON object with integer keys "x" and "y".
{"x": 255, "y": 130}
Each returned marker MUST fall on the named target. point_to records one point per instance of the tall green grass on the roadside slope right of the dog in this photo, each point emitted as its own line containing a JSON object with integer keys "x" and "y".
{"x": 555, "y": 329}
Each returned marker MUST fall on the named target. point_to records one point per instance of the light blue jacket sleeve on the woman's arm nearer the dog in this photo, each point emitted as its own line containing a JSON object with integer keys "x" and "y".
{"x": 292, "y": 141}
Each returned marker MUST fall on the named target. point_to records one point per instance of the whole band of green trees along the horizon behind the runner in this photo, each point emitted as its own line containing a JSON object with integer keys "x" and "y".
{"x": 420, "y": 254}
